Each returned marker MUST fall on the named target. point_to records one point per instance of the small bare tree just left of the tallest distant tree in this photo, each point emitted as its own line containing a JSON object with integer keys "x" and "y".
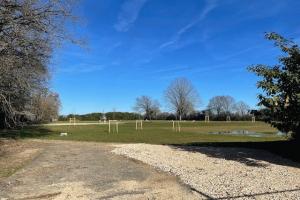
{"x": 148, "y": 106}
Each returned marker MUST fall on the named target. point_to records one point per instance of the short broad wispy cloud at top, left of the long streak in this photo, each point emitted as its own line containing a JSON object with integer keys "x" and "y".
{"x": 128, "y": 15}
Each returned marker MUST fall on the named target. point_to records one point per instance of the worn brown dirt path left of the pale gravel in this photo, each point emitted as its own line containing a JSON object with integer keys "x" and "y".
{"x": 77, "y": 170}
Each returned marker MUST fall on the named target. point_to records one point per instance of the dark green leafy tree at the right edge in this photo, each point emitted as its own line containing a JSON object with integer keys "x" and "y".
{"x": 281, "y": 87}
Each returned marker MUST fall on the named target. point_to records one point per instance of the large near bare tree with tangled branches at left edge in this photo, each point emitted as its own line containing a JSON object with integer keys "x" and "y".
{"x": 29, "y": 31}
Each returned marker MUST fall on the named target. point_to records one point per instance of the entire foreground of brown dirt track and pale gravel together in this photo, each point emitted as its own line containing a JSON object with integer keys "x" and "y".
{"x": 81, "y": 170}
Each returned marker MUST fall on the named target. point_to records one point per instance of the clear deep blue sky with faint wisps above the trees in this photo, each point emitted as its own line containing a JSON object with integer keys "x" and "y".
{"x": 137, "y": 47}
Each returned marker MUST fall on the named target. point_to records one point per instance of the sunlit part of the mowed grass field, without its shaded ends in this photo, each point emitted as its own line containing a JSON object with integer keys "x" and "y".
{"x": 156, "y": 132}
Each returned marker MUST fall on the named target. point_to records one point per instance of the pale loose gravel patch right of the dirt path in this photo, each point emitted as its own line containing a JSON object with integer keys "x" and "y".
{"x": 222, "y": 173}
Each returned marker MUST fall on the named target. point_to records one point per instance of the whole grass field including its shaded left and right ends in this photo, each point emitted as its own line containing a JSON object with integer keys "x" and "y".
{"x": 160, "y": 132}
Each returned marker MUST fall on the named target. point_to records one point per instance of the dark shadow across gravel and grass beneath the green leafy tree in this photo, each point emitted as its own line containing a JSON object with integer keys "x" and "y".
{"x": 245, "y": 152}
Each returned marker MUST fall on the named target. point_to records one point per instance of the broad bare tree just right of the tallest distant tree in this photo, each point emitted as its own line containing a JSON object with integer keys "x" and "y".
{"x": 221, "y": 105}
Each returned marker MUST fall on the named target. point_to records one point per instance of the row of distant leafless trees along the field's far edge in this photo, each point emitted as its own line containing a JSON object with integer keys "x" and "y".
{"x": 182, "y": 98}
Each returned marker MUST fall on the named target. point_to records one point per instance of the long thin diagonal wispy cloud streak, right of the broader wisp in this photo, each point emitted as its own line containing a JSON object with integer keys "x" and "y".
{"x": 210, "y": 5}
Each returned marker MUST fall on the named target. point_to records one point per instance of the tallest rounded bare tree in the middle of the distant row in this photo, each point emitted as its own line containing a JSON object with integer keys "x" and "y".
{"x": 182, "y": 97}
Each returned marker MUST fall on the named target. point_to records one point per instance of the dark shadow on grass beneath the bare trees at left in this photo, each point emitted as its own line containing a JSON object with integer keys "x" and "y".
{"x": 26, "y": 132}
